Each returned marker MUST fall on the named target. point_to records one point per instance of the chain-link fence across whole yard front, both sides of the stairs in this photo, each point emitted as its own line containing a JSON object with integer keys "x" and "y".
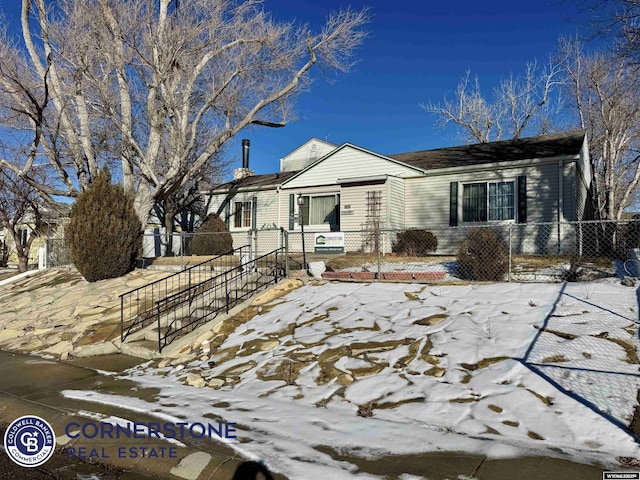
{"x": 529, "y": 252}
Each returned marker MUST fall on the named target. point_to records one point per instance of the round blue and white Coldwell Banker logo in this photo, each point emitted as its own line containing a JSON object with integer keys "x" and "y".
{"x": 29, "y": 441}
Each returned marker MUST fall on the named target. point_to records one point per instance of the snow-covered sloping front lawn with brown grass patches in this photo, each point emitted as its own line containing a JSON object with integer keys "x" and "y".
{"x": 333, "y": 370}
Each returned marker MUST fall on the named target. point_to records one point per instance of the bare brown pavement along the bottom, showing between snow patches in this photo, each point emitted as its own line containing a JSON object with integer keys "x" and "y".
{"x": 31, "y": 386}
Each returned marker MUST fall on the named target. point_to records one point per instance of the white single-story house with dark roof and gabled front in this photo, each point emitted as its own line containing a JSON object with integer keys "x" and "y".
{"x": 349, "y": 188}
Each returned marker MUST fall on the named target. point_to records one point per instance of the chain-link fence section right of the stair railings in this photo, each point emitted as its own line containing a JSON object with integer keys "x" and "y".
{"x": 572, "y": 251}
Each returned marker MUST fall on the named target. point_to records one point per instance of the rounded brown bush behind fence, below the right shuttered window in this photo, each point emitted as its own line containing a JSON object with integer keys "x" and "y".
{"x": 483, "y": 256}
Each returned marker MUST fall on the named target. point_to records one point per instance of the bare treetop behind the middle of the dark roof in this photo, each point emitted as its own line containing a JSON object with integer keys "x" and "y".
{"x": 519, "y": 105}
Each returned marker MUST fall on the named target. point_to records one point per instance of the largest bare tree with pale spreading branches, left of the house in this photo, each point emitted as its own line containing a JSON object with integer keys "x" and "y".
{"x": 161, "y": 86}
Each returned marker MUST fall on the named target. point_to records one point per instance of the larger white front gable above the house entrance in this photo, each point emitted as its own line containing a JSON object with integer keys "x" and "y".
{"x": 348, "y": 162}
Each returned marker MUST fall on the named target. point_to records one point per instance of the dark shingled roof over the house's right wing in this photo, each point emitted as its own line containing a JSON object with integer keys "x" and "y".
{"x": 554, "y": 145}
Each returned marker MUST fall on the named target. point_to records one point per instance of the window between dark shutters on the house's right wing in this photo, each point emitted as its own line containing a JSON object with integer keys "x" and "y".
{"x": 488, "y": 201}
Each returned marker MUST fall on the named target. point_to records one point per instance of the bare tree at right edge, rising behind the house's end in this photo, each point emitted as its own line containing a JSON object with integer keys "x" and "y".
{"x": 604, "y": 90}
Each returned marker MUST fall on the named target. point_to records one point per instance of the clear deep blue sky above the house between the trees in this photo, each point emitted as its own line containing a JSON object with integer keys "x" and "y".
{"x": 416, "y": 53}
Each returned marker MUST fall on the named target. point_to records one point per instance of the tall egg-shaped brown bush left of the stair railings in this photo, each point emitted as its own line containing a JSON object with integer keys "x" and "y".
{"x": 104, "y": 234}
